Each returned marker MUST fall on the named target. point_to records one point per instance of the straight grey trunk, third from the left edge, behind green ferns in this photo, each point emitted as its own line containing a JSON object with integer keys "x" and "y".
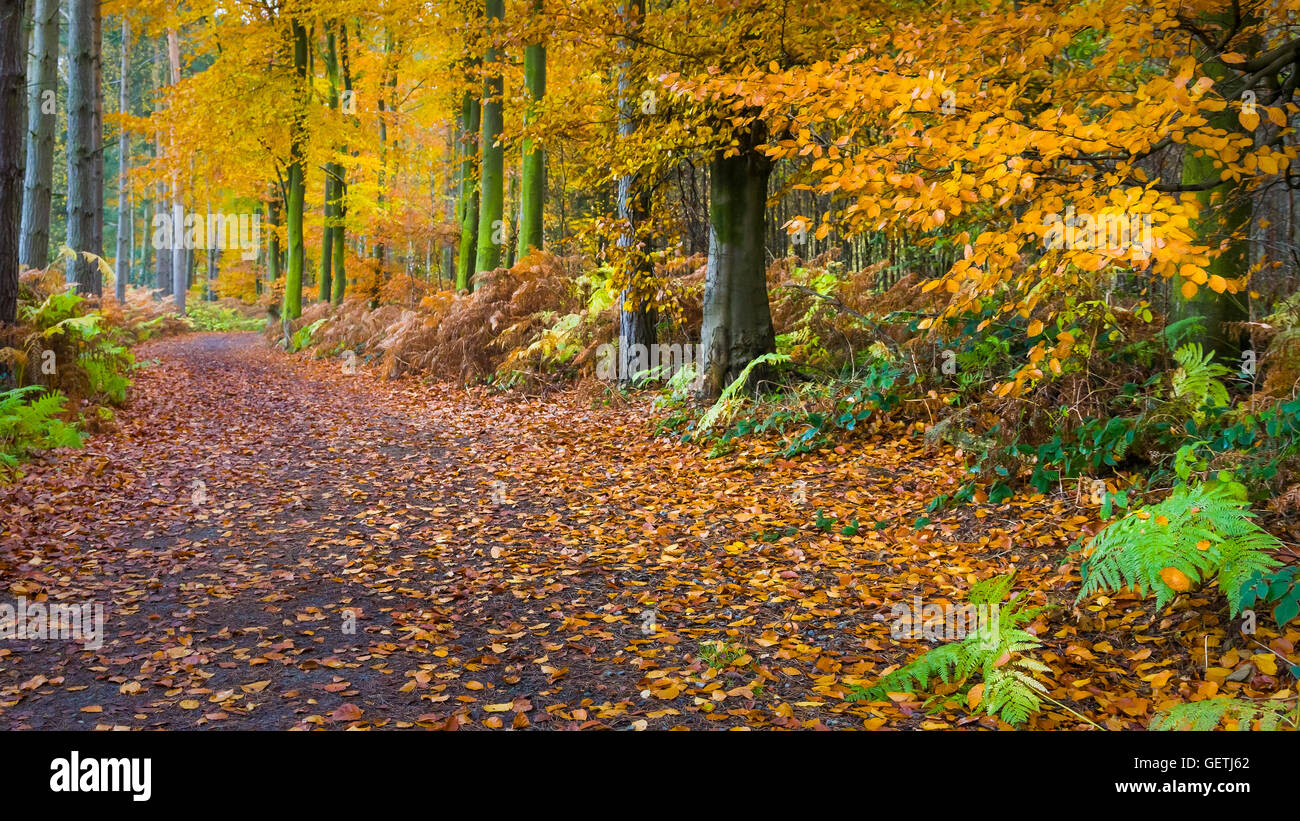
{"x": 81, "y": 147}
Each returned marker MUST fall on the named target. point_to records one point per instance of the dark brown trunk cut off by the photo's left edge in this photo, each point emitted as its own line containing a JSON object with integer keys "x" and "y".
{"x": 14, "y": 84}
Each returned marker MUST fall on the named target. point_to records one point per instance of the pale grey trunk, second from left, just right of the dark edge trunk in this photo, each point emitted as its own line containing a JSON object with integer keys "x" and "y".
{"x": 42, "y": 118}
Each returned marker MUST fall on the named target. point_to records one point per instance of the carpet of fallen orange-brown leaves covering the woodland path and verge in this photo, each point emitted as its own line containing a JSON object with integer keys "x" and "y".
{"x": 280, "y": 545}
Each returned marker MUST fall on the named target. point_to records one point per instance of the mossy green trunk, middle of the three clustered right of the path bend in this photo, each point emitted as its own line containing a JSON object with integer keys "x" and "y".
{"x": 492, "y": 157}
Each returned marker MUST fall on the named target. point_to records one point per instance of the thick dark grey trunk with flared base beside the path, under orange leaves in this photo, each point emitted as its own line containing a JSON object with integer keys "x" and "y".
{"x": 738, "y": 325}
